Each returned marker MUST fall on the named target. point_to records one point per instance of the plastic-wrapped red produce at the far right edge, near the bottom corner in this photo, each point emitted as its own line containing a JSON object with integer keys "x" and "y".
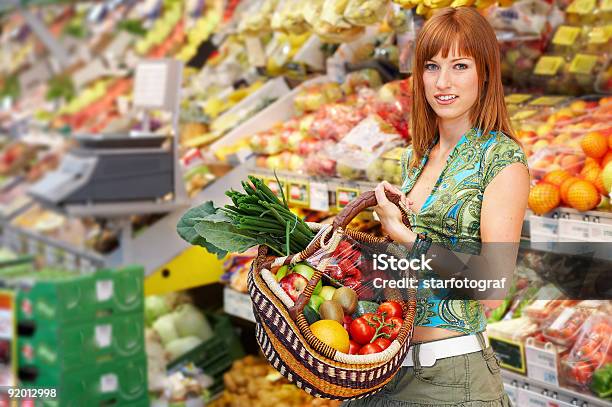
{"x": 590, "y": 352}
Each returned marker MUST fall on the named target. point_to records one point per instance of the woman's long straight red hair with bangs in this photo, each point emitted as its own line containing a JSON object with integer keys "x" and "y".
{"x": 467, "y": 33}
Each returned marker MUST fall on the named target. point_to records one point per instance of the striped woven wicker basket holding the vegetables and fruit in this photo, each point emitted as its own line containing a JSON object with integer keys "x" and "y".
{"x": 287, "y": 341}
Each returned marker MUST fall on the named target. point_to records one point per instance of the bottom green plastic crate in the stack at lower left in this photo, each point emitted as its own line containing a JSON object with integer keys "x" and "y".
{"x": 121, "y": 382}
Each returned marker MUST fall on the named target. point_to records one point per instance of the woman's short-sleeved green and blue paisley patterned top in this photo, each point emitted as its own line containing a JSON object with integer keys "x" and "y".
{"x": 451, "y": 215}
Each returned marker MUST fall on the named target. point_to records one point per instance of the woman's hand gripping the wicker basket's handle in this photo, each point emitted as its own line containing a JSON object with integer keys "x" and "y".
{"x": 390, "y": 215}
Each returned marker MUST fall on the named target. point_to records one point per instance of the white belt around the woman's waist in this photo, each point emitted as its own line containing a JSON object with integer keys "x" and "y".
{"x": 429, "y": 352}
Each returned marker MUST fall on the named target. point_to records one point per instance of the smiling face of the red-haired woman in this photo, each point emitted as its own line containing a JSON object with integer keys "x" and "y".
{"x": 451, "y": 85}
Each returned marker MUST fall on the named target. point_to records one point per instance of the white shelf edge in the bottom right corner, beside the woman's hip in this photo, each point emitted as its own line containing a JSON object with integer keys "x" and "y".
{"x": 530, "y": 392}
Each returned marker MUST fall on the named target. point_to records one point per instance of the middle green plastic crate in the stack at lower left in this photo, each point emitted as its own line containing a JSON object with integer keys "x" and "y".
{"x": 70, "y": 346}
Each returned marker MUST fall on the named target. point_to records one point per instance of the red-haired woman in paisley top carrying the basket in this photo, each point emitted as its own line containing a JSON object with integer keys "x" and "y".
{"x": 466, "y": 180}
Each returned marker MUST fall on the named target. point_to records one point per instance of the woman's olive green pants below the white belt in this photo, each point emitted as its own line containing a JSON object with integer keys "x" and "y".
{"x": 470, "y": 380}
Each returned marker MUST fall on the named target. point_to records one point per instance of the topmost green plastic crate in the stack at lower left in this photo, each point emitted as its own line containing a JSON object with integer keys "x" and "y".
{"x": 106, "y": 292}
